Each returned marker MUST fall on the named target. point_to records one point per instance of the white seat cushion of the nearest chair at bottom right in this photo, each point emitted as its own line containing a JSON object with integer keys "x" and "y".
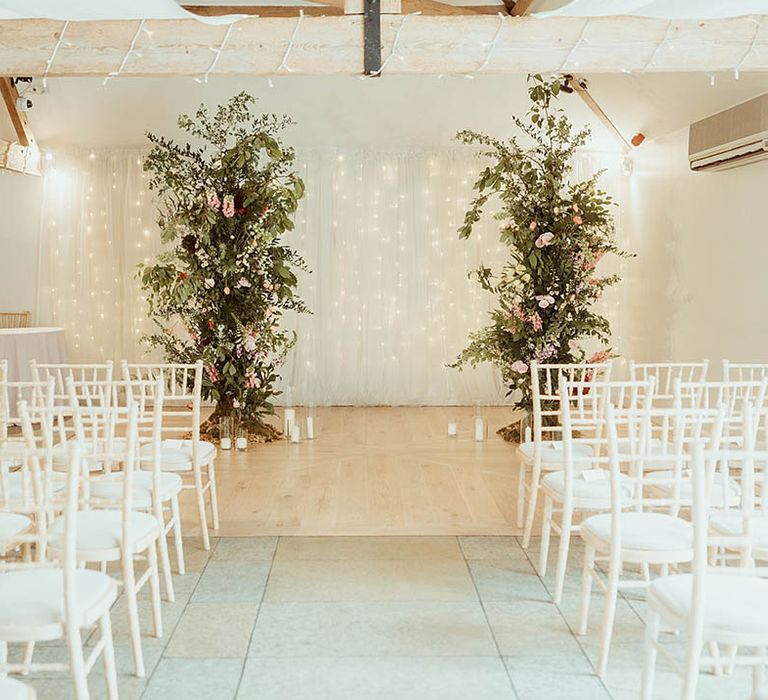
{"x": 732, "y": 603}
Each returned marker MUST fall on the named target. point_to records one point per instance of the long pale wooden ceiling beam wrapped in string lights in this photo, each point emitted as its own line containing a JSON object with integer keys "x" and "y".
{"x": 427, "y": 45}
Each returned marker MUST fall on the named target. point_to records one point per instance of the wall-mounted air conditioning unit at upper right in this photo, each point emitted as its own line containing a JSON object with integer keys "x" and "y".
{"x": 735, "y": 137}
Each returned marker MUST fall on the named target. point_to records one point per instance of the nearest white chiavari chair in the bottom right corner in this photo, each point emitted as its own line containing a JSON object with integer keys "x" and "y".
{"x": 725, "y": 605}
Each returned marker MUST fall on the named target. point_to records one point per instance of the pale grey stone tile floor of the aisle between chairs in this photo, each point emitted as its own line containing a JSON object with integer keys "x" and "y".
{"x": 380, "y": 618}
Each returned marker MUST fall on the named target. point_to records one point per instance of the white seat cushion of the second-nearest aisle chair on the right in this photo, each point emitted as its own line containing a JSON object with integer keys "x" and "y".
{"x": 641, "y": 531}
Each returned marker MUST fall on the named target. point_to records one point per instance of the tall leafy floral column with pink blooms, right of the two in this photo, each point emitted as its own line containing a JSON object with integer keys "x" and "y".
{"x": 556, "y": 232}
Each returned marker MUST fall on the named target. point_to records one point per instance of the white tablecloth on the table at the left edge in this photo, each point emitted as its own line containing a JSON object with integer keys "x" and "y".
{"x": 20, "y": 345}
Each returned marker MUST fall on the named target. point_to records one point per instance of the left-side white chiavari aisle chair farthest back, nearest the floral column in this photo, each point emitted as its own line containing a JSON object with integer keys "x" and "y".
{"x": 181, "y": 416}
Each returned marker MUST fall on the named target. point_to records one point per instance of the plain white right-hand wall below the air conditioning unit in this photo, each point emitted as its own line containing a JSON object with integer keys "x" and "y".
{"x": 699, "y": 287}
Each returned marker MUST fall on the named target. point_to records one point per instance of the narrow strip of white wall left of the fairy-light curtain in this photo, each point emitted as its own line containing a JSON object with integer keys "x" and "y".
{"x": 20, "y": 197}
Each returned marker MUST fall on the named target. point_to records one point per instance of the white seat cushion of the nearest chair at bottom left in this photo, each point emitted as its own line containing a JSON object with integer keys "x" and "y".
{"x": 35, "y": 599}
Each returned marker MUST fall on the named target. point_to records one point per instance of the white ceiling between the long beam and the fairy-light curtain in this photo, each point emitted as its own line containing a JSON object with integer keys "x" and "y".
{"x": 390, "y": 111}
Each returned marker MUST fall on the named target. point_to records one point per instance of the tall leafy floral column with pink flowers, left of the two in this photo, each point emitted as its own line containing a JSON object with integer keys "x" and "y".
{"x": 219, "y": 289}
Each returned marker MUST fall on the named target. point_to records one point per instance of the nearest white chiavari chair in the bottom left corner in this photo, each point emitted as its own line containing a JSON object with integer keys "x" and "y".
{"x": 53, "y": 598}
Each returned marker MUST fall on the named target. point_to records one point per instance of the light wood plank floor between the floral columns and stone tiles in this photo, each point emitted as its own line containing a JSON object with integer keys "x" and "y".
{"x": 372, "y": 471}
